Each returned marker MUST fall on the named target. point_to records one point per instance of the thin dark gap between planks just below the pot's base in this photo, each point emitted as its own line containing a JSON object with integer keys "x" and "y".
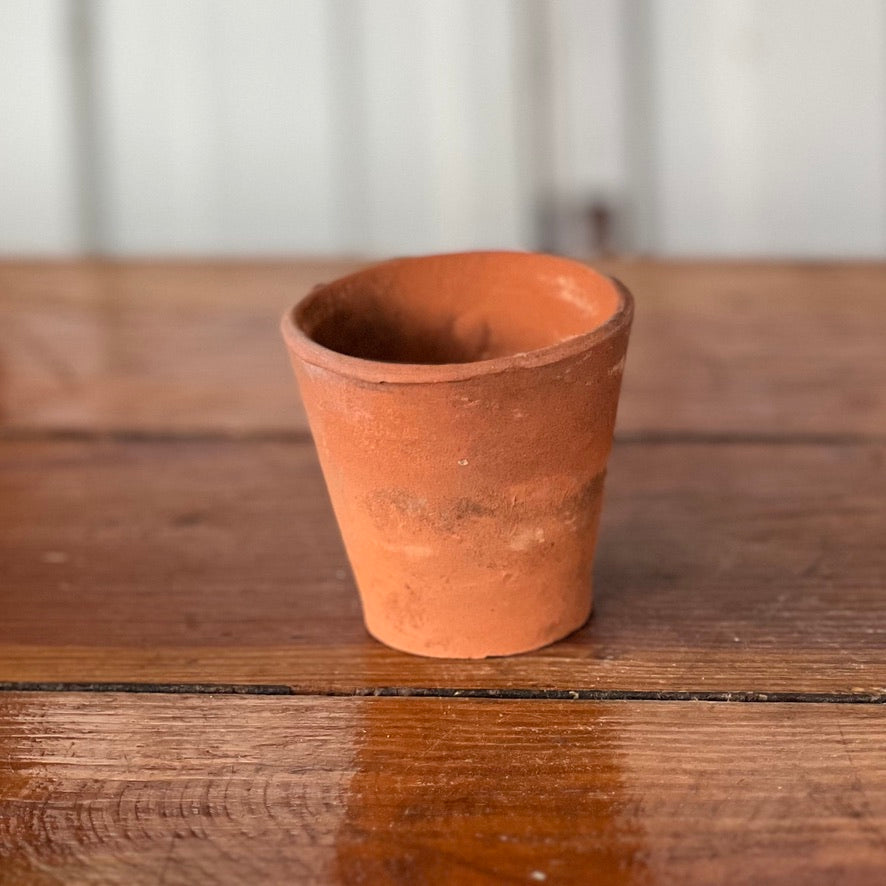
{"x": 441, "y": 692}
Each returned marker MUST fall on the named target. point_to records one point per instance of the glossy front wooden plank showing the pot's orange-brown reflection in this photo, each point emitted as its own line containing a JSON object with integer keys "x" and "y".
{"x": 143, "y": 789}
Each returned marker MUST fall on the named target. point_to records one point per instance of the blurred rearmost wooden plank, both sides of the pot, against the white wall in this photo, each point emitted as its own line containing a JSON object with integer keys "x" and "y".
{"x": 717, "y": 348}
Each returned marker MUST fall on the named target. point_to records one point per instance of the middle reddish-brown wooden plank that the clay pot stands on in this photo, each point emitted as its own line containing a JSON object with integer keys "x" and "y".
{"x": 721, "y": 568}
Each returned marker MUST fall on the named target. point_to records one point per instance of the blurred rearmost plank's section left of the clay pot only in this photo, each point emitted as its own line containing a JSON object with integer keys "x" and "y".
{"x": 175, "y": 346}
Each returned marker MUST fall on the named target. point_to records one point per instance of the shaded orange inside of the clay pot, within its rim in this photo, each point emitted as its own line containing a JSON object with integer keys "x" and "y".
{"x": 457, "y": 308}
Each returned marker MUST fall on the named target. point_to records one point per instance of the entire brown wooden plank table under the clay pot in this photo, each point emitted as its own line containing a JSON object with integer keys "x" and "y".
{"x": 189, "y": 695}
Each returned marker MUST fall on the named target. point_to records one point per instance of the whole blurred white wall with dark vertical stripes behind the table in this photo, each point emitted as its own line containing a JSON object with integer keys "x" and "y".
{"x": 375, "y": 127}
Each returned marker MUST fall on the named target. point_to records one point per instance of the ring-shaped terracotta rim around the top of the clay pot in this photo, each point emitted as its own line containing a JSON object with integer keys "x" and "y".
{"x": 380, "y": 372}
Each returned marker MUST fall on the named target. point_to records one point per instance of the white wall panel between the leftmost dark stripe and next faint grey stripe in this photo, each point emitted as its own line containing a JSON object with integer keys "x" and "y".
{"x": 215, "y": 123}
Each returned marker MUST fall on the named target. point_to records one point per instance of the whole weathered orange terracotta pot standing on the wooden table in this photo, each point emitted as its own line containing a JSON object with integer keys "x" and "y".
{"x": 463, "y": 407}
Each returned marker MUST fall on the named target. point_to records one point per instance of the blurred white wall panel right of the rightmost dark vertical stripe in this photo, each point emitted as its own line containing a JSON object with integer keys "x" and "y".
{"x": 768, "y": 128}
